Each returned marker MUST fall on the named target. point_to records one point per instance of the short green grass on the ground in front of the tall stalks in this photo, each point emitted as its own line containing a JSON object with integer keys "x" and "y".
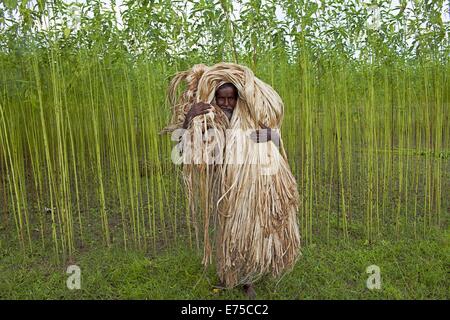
{"x": 409, "y": 270}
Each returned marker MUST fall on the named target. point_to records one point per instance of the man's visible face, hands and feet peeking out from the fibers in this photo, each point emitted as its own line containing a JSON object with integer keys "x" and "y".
{"x": 226, "y": 99}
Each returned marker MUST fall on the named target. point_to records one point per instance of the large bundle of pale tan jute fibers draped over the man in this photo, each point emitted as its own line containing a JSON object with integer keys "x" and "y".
{"x": 243, "y": 190}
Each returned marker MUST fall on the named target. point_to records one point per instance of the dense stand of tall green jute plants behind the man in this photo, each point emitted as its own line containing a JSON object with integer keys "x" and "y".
{"x": 82, "y": 99}
